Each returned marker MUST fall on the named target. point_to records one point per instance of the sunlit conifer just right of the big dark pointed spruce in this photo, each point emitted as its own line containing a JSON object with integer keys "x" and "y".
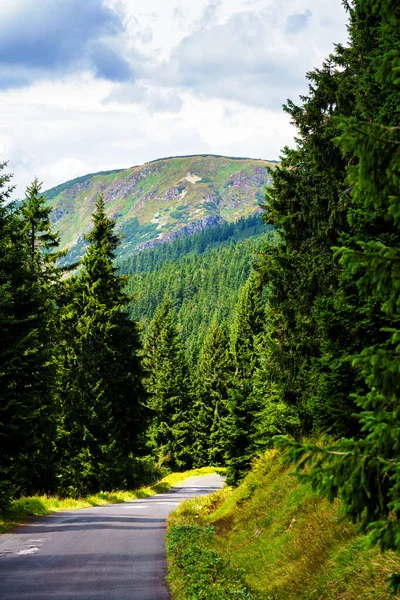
{"x": 168, "y": 386}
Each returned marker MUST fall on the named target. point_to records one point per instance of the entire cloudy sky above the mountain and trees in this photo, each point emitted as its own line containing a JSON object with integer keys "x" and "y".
{"x": 91, "y": 85}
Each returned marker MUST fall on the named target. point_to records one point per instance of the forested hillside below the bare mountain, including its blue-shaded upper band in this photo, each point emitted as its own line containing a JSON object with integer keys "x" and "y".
{"x": 201, "y": 274}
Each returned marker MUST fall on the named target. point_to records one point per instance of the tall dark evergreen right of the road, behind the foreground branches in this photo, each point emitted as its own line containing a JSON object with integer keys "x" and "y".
{"x": 313, "y": 304}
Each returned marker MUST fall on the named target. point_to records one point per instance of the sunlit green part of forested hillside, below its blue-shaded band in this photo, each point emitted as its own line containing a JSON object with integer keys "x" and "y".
{"x": 201, "y": 287}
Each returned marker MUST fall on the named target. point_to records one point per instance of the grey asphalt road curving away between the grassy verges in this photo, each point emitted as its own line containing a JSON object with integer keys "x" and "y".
{"x": 114, "y": 552}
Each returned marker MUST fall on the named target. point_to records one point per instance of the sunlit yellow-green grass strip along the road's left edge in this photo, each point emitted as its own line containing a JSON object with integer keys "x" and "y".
{"x": 34, "y": 506}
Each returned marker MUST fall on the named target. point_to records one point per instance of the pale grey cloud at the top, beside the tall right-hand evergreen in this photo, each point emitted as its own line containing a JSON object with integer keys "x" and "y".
{"x": 253, "y": 57}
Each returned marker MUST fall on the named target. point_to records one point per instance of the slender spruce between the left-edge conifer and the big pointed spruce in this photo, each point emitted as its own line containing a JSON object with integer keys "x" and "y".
{"x": 40, "y": 244}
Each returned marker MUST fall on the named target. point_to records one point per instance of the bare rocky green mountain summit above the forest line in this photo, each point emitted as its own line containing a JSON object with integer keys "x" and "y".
{"x": 161, "y": 200}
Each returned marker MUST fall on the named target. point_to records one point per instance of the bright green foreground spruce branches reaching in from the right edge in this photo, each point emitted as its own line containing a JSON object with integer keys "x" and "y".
{"x": 365, "y": 473}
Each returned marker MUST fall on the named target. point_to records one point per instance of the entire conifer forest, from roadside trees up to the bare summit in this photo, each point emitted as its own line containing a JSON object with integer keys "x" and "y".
{"x": 280, "y": 330}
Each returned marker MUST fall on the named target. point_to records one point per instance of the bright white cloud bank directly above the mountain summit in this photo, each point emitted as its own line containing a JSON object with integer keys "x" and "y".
{"x": 59, "y": 144}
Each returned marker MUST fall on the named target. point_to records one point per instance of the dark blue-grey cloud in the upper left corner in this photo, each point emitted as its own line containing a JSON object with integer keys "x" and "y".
{"x": 49, "y": 38}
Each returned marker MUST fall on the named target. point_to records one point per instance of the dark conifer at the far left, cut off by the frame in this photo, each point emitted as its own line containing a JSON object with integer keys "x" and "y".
{"x": 27, "y": 373}
